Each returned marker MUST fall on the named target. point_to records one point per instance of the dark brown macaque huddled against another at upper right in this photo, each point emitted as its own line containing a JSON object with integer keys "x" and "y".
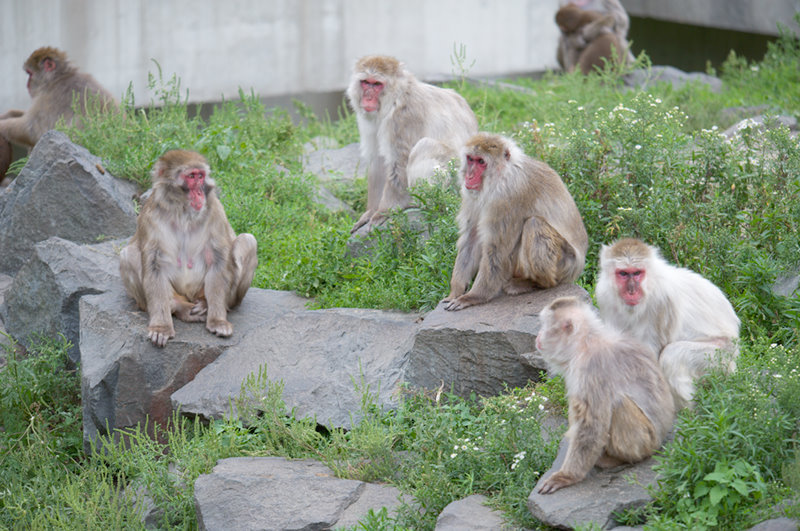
{"x": 589, "y": 39}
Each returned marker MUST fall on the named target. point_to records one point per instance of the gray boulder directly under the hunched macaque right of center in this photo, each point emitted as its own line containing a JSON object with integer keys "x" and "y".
{"x": 483, "y": 348}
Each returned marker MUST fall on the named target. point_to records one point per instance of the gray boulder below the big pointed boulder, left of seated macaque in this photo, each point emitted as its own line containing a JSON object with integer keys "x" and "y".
{"x": 43, "y": 297}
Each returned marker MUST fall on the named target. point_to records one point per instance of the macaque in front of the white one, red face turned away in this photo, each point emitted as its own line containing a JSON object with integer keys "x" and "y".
{"x": 620, "y": 406}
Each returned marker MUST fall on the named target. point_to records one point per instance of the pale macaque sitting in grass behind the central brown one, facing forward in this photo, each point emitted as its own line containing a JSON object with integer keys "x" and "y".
{"x": 407, "y": 128}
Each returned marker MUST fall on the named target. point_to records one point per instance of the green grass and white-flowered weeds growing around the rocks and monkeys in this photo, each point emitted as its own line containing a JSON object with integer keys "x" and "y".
{"x": 650, "y": 164}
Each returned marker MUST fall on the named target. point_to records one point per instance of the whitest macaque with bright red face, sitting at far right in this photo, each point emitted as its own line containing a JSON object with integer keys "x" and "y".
{"x": 682, "y": 316}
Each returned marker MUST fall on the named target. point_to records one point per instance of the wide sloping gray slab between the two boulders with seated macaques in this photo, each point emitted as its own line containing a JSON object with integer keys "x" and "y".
{"x": 325, "y": 359}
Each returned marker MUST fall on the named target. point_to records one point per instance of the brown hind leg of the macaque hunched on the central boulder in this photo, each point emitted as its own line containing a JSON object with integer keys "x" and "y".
{"x": 545, "y": 256}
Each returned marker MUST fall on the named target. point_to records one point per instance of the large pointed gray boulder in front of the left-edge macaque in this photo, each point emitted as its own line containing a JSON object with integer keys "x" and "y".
{"x": 62, "y": 192}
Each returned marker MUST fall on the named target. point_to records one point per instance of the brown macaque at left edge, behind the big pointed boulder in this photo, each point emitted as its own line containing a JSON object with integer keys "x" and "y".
{"x": 53, "y": 84}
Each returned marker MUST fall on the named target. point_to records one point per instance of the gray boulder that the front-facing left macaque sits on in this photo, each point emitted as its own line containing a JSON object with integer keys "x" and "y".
{"x": 125, "y": 380}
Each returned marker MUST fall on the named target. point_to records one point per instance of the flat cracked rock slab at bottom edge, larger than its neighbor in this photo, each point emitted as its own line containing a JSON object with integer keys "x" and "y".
{"x": 265, "y": 493}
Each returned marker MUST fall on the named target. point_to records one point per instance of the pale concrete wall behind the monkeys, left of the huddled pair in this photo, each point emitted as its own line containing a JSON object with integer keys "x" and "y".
{"x": 274, "y": 47}
